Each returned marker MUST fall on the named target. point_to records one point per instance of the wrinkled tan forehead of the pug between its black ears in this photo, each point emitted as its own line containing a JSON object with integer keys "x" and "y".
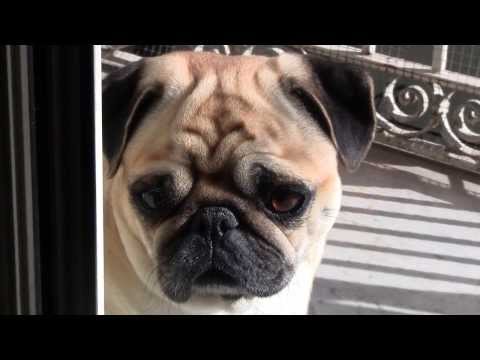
{"x": 222, "y": 108}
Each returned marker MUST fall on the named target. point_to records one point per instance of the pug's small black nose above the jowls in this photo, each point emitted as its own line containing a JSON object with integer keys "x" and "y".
{"x": 213, "y": 222}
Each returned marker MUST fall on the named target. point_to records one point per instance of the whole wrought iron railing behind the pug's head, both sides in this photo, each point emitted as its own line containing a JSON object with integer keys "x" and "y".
{"x": 426, "y": 108}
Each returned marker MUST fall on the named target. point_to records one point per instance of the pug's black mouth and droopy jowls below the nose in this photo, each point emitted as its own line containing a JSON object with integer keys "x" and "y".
{"x": 232, "y": 272}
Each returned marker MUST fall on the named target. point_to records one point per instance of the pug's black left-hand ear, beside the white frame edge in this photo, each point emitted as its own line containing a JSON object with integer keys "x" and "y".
{"x": 124, "y": 104}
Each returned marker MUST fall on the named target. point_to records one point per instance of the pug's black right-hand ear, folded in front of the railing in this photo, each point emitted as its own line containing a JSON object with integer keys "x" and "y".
{"x": 341, "y": 100}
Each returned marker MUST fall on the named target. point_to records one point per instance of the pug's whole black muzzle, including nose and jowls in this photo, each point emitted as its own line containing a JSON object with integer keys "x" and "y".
{"x": 216, "y": 254}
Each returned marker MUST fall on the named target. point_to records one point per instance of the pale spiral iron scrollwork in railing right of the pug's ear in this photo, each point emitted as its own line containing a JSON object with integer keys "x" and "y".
{"x": 414, "y": 110}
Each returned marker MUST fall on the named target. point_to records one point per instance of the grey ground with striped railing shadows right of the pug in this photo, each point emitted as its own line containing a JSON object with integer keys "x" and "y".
{"x": 405, "y": 222}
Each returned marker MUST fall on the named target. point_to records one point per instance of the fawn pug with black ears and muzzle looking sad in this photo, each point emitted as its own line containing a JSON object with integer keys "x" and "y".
{"x": 221, "y": 179}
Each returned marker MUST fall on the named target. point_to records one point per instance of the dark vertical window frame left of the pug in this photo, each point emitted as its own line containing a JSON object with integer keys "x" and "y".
{"x": 49, "y": 180}
